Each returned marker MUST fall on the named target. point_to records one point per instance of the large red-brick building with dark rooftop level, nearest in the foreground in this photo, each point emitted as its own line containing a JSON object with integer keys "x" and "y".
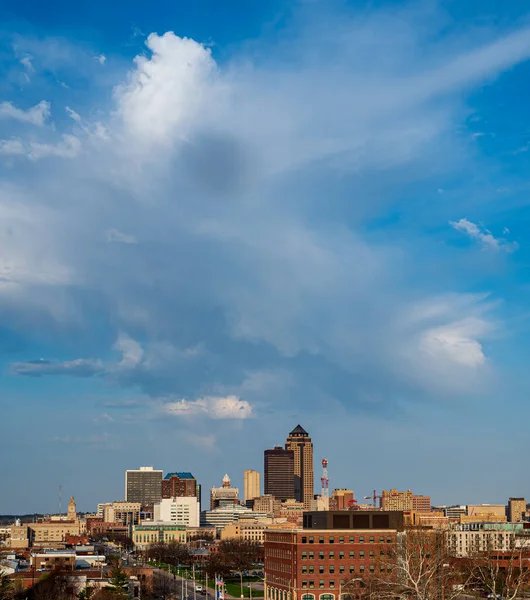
{"x": 332, "y": 548}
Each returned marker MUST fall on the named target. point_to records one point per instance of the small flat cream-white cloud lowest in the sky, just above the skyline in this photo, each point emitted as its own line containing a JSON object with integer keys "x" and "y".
{"x": 215, "y": 407}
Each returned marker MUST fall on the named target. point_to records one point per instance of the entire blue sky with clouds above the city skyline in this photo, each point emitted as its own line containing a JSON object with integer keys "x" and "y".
{"x": 222, "y": 219}
